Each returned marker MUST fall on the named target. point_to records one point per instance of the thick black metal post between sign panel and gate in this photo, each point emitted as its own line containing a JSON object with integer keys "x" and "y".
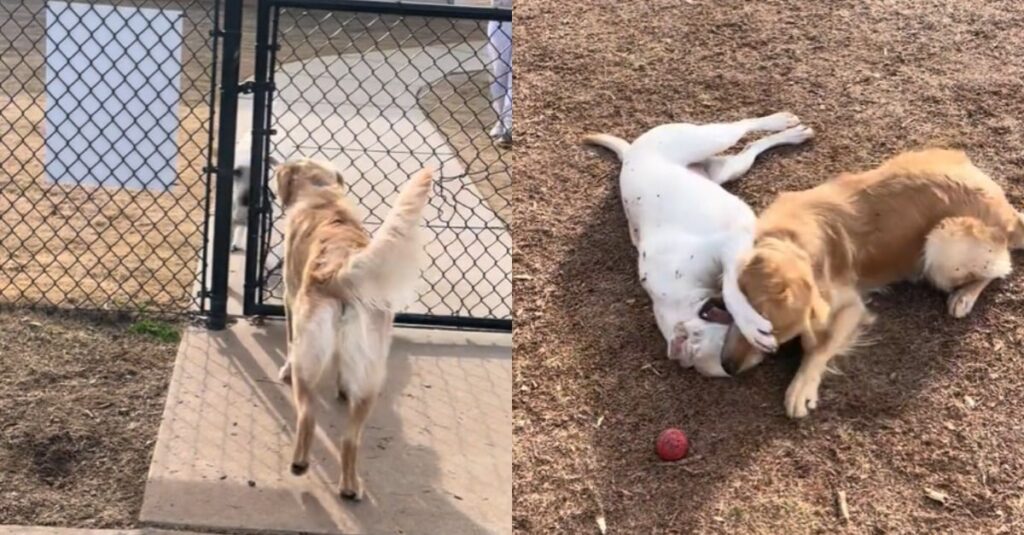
{"x": 226, "y": 164}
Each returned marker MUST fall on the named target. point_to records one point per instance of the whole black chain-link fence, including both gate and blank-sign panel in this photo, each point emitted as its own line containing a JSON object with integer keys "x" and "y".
{"x": 114, "y": 112}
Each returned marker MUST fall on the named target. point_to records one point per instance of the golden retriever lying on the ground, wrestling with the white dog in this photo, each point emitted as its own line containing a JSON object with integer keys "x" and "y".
{"x": 928, "y": 215}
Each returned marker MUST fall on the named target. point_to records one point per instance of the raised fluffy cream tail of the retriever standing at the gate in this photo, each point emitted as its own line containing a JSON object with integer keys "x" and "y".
{"x": 385, "y": 274}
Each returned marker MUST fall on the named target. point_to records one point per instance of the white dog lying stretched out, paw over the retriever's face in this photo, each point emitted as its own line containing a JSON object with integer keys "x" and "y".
{"x": 691, "y": 233}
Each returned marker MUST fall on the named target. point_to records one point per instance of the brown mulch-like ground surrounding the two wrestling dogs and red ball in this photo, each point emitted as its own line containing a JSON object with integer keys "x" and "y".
{"x": 934, "y": 405}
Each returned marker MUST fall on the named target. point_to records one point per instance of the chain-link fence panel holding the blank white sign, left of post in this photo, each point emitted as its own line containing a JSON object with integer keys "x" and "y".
{"x": 106, "y": 121}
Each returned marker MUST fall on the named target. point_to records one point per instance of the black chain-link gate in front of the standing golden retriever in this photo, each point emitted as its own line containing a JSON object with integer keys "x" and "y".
{"x": 382, "y": 90}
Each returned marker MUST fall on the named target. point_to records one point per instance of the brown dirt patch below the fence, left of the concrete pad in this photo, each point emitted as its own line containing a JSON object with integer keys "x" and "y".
{"x": 80, "y": 404}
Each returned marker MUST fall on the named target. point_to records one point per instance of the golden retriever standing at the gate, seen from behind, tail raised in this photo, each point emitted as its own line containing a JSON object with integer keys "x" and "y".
{"x": 342, "y": 291}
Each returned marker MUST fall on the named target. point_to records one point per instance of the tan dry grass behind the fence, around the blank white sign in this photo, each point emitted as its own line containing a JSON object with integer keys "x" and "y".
{"x": 93, "y": 246}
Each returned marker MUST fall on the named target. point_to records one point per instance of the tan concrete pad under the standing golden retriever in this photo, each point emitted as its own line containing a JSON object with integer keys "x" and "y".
{"x": 437, "y": 454}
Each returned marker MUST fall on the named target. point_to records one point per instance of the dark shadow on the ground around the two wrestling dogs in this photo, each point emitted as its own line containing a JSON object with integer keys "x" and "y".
{"x": 733, "y": 425}
